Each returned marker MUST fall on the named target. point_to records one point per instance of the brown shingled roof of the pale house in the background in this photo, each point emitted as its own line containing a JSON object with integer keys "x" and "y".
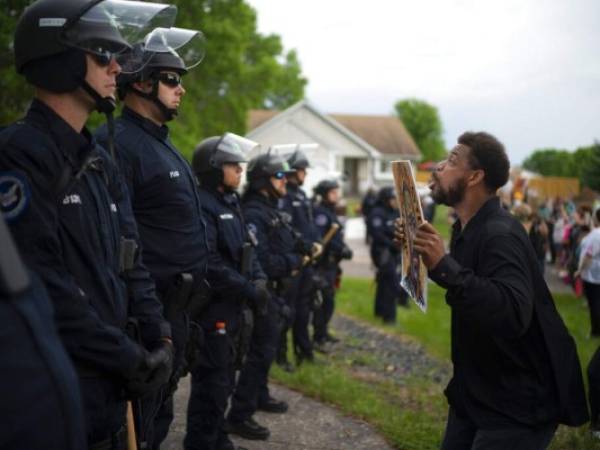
{"x": 383, "y": 133}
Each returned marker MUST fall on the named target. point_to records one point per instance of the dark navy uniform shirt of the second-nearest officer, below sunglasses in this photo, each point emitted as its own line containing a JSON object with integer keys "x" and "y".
{"x": 164, "y": 196}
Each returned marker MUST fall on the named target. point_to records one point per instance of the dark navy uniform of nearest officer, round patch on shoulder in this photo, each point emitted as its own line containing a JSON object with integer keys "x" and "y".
{"x": 70, "y": 233}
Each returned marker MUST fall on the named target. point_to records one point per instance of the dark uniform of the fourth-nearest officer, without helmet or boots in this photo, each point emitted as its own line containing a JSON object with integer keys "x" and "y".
{"x": 275, "y": 250}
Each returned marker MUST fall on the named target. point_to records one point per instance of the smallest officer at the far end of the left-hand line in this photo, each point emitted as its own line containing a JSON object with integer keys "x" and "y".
{"x": 327, "y": 194}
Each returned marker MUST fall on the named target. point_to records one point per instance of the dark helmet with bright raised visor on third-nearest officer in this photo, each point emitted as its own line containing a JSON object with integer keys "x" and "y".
{"x": 213, "y": 152}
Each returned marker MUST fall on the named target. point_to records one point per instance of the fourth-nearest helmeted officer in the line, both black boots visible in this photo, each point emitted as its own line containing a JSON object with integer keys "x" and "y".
{"x": 280, "y": 261}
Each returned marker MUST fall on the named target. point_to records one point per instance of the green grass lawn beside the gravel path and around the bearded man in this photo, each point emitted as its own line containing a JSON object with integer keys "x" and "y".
{"x": 412, "y": 416}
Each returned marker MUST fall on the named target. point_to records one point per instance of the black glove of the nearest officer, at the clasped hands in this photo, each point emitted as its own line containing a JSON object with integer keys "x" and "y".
{"x": 153, "y": 372}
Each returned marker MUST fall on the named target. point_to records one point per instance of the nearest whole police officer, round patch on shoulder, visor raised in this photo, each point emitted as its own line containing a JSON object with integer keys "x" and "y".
{"x": 69, "y": 210}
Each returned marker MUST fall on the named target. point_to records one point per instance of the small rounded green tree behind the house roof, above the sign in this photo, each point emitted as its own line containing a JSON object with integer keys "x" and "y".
{"x": 423, "y": 122}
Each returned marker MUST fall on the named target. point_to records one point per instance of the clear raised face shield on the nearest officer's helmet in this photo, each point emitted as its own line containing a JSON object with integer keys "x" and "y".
{"x": 112, "y": 27}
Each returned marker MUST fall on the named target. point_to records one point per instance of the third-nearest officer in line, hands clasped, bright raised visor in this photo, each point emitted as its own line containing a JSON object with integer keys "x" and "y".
{"x": 235, "y": 277}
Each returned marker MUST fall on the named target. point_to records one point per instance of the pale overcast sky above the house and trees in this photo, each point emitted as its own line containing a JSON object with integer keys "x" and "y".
{"x": 527, "y": 71}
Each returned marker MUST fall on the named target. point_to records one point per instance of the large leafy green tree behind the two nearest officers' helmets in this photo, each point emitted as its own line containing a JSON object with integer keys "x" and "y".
{"x": 242, "y": 70}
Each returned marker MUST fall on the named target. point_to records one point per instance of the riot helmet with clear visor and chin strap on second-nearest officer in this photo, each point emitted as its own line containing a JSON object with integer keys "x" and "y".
{"x": 165, "y": 49}
